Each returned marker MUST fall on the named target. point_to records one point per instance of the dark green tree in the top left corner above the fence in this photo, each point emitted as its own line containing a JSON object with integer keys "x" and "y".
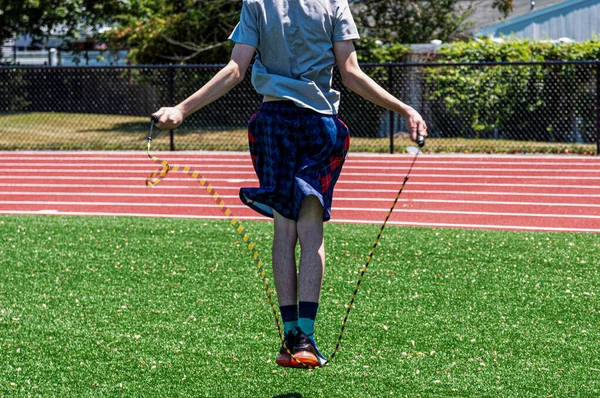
{"x": 39, "y": 18}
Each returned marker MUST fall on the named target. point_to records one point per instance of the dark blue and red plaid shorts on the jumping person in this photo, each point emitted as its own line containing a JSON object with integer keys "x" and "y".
{"x": 296, "y": 152}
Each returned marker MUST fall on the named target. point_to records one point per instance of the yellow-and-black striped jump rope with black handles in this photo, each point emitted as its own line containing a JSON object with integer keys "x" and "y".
{"x": 158, "y": 175}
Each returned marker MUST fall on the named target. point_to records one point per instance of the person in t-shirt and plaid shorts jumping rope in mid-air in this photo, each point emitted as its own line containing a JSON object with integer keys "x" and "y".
{"x": 297, "y": 143}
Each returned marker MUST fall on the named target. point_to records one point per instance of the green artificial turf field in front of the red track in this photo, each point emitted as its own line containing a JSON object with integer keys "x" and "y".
{"x": 174, "y": 308}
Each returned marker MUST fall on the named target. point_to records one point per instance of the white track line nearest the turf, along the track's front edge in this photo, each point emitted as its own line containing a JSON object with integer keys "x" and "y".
{"x": 339, "y": 221}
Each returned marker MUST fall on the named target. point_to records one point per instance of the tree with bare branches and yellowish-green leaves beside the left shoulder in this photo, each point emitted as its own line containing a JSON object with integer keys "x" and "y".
{"x": 169, "y": 31}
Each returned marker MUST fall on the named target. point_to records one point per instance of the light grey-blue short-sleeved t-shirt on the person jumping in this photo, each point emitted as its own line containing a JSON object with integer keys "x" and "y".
{"x": 294, "y": 43}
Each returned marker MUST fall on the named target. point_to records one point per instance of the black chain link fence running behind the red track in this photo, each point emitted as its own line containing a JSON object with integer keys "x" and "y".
{"x": 551, "y": 107}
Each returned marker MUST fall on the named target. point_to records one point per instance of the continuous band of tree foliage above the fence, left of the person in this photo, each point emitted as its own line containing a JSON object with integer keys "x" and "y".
{"x": 156, "y": 31}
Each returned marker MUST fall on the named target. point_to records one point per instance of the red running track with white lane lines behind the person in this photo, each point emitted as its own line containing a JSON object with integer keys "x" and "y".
{"x": 521, "y": 193}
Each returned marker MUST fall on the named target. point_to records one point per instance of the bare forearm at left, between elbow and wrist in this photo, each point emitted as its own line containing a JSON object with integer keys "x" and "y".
{"x": 218, "y": 86}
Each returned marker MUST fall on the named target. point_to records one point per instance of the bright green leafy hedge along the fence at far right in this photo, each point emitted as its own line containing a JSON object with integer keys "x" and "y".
{"x": 541, "y": 102}
